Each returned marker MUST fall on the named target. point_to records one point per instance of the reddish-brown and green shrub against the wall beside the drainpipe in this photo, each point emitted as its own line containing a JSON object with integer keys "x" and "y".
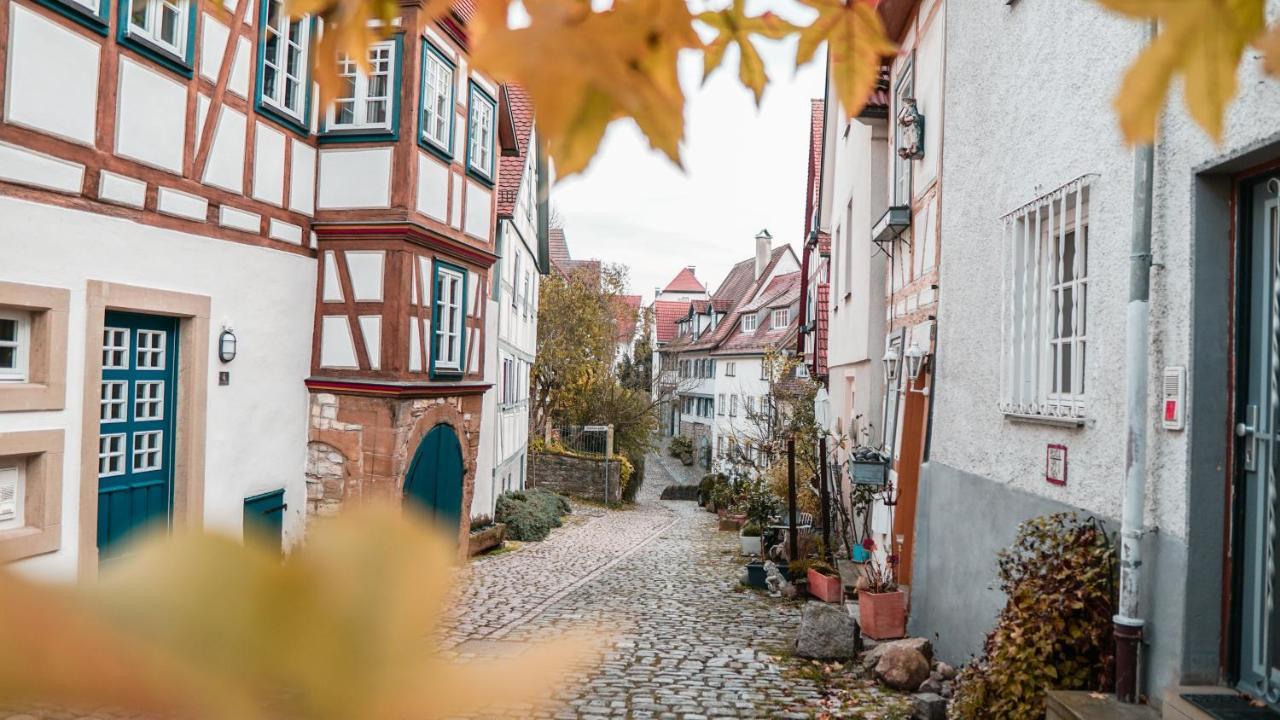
{"x": 1055, "y": 631}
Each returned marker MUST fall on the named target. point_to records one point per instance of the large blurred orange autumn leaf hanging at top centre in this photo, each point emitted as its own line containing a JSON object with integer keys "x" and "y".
{"x": 584, "y": 70}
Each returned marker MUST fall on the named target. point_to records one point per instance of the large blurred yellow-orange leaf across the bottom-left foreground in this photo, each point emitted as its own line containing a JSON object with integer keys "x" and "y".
{"x": 205, "y": 627}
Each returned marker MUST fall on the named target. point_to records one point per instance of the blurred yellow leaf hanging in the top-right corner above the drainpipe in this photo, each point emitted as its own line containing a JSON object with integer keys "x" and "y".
{"x": 1203, "y": 40}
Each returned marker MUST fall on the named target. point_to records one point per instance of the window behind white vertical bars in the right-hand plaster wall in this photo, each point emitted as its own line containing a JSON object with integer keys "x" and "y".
{"x": 1046, "y": 291}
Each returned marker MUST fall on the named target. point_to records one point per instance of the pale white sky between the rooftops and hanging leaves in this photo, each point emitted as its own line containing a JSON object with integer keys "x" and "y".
{"x": 746, "y": 170}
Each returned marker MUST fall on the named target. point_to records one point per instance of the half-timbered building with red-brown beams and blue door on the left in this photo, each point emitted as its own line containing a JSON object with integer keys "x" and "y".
{"x": 222, "y": 304}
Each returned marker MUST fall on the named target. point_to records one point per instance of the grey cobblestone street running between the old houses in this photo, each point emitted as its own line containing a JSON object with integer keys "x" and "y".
{"x": 691, "y": 644}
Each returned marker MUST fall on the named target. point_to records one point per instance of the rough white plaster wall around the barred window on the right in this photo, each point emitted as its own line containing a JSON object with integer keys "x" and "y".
{"x": 996, "y": 162}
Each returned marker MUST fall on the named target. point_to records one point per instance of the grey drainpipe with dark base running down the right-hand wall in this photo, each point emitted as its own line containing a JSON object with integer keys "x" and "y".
{"x": 1128, "y": 621}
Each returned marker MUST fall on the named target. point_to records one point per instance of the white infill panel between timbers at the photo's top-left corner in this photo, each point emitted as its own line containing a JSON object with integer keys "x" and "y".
{"x": 56, "y": 98}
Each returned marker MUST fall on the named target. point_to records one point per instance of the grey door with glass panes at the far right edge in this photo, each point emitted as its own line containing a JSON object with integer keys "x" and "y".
{"x": 1259, "y": 623}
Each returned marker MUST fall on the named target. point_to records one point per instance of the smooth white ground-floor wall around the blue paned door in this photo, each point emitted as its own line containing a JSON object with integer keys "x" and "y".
{"x": 257, "y": 426}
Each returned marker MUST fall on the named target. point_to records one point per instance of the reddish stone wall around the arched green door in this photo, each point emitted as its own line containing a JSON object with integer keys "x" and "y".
{"x": 360, "y": 448}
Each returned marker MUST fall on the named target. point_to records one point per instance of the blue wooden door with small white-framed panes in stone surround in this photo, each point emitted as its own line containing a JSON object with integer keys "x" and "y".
{"x": 136, "y": 427}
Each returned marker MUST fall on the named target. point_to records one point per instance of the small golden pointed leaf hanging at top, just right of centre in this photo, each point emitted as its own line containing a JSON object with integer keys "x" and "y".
{"x": 856, "y": 44}
